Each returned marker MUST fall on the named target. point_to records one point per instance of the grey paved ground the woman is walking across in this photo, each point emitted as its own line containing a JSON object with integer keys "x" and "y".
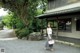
{"x": 14, "y": 45}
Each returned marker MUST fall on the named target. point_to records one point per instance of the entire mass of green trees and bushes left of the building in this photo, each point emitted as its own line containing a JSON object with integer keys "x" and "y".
{"x": 24, "y": 12}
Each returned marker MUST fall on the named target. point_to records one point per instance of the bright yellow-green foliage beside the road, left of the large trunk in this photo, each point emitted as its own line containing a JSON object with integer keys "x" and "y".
{"x": 11, "y": 21}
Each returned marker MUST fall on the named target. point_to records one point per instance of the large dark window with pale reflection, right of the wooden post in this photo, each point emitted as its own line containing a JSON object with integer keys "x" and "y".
{"x": 64, "y": 24}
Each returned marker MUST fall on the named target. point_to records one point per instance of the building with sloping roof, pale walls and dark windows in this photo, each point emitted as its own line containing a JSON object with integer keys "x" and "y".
{"x": 64, "y": 16}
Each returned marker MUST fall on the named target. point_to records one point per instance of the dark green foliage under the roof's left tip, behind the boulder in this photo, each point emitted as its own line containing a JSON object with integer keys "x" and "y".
{"x": 37, "y": 25}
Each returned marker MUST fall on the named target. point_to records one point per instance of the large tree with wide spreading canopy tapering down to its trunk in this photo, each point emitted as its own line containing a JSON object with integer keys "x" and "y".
{"x": 26, "y": 10}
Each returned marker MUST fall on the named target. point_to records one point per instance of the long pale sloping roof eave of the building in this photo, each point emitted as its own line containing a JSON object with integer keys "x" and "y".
{"x": 72, "y": 8}
